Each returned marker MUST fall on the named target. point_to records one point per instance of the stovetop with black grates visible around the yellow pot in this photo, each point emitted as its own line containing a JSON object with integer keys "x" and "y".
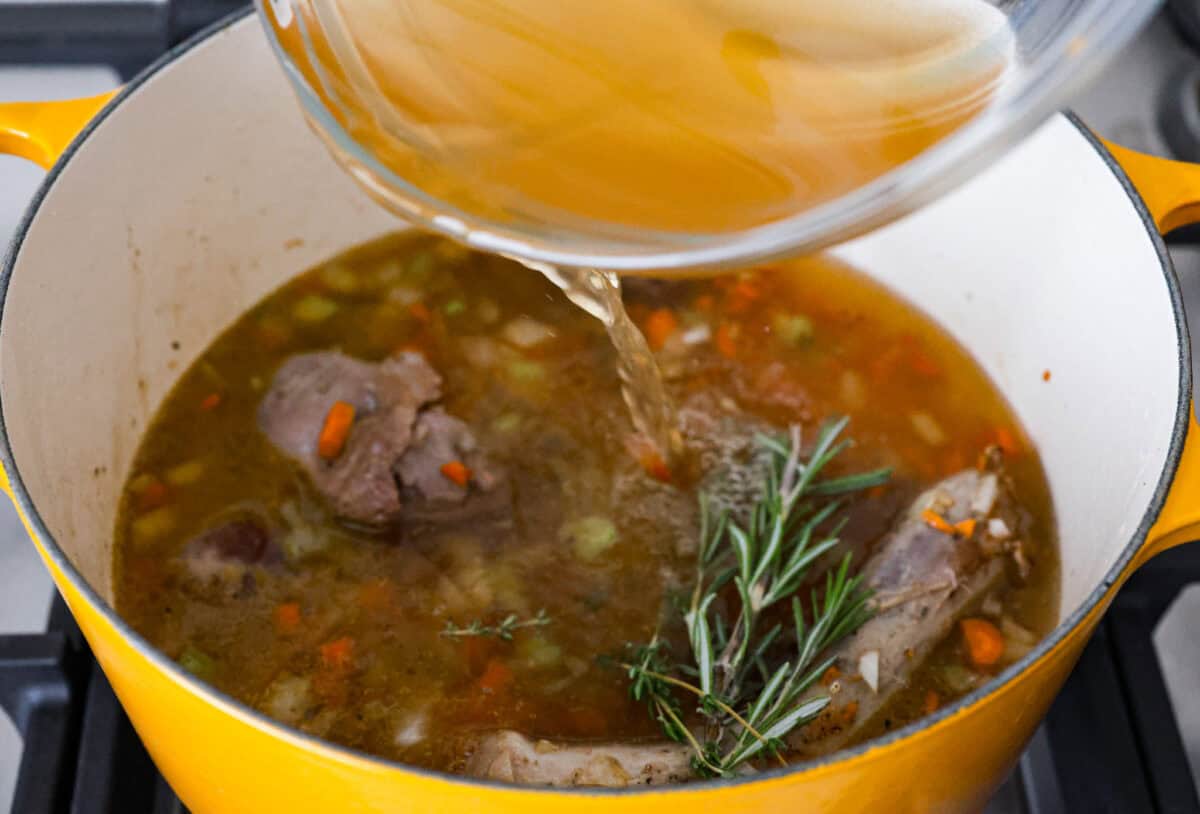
{"x": 1124, "y": 737}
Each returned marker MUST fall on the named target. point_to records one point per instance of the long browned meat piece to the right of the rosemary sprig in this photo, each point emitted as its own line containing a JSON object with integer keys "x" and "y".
{"x": 923, "y": 582}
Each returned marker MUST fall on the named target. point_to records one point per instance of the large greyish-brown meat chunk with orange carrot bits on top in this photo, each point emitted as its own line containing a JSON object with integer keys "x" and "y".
{"x": 399, "y": 442}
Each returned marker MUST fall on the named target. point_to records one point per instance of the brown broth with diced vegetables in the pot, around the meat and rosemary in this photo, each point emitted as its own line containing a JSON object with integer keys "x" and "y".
{"x": 359, "y": 656}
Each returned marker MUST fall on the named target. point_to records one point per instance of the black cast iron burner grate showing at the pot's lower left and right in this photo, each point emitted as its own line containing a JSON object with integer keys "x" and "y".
{"x": 1111, "y": 744}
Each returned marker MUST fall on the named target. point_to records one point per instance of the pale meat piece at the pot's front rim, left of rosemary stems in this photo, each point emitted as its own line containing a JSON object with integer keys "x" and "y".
{"x": 514, "y": 758}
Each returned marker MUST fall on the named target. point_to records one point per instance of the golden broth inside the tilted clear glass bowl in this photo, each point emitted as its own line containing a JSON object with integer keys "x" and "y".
{"x": 683, "y": 116}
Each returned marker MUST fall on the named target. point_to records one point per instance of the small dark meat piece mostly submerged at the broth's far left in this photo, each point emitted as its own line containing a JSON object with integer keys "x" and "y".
{"x": 225, "y": 555}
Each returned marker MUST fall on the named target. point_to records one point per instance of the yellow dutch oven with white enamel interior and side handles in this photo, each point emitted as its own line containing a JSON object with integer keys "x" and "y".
{"x": 199, "y": 189}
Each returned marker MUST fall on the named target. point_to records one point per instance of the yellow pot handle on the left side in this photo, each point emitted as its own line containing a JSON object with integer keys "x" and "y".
{"x": 41, "y": 131}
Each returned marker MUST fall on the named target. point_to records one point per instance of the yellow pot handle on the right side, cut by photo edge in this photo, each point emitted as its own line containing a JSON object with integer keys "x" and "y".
{"x": 1172, "y": 194}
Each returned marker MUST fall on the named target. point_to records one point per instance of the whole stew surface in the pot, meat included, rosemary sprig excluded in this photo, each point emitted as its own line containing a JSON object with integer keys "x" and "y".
{"x": 491, "y": 583}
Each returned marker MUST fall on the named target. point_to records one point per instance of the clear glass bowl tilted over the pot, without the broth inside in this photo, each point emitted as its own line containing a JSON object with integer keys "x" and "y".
{"x": 1055, "y": 47}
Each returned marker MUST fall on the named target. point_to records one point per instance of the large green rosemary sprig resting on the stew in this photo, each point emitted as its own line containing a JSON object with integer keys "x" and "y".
{"x": 749, "y": 704}
